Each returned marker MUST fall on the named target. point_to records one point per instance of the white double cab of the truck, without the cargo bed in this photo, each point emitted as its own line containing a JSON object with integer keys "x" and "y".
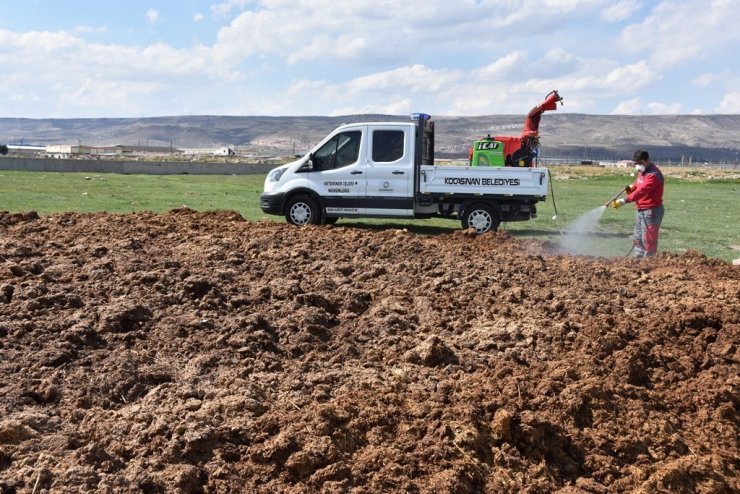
{"x": 363, "y": 169}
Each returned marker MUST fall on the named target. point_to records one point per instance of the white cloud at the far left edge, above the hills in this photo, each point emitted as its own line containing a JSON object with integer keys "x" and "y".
{"x": 100, "y": 80}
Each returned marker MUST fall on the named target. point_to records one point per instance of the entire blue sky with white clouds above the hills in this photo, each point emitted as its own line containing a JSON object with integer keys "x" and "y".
{"x": 138, "y": 58}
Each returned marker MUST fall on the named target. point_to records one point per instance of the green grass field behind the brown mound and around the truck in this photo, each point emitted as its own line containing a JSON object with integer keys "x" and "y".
{"x": 702, "y": 215}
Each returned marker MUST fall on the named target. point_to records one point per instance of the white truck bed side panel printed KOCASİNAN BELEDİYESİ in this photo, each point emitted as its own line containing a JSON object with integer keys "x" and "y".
{"x": 488, "y": 181}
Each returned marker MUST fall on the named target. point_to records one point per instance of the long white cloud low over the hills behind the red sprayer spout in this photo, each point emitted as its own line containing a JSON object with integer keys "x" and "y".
{"x": 508, "y": 84}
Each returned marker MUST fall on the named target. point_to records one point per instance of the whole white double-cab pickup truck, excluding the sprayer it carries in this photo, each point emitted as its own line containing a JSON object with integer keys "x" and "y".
{"x": 387, "y": 170}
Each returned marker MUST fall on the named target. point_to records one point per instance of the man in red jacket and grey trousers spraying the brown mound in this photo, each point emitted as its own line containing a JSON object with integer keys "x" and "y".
{"x": 647, "y": 194}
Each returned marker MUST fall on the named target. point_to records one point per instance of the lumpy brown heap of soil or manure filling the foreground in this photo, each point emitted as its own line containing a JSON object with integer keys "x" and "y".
{"x": 197, "y": 352}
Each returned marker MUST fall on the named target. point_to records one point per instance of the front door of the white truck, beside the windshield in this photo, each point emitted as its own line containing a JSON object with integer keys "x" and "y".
{"x": 338, "y": 174}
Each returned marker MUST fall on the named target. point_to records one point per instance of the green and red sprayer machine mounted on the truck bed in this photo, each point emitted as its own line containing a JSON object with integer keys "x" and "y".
{"x": 515, "y": 151}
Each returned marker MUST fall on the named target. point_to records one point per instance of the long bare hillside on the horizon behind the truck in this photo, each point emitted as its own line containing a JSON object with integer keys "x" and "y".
{"x": 563, "y": 135}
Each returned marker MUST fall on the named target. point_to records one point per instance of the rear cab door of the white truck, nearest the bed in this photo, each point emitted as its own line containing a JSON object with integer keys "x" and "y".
{"x": 390, "y": 166}
